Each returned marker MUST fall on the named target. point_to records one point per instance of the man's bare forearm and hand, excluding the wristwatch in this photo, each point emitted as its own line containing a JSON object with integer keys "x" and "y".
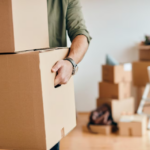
{"x": 63, "y": 67}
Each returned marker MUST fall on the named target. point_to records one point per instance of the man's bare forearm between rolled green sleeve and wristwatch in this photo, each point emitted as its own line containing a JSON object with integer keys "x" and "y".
{"x": 78, "y": 48}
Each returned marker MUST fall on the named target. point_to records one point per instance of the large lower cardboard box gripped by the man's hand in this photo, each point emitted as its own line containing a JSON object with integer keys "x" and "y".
{"x": 34, "y": 114}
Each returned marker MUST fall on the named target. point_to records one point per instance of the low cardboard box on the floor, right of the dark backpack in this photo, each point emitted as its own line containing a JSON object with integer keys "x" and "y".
{"x": 132, "y": 125}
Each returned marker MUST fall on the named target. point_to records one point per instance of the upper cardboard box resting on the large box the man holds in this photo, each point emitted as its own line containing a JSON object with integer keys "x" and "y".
{"x": 23, "y": 25}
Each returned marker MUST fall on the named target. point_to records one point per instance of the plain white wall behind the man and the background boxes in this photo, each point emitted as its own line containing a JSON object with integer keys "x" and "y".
{"x": 116, "y": 27}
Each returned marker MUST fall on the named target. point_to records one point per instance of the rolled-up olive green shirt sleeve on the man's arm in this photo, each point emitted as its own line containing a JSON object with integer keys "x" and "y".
{"x": 75, "y": 23}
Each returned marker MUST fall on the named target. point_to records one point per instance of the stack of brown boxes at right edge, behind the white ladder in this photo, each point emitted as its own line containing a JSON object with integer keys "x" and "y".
{"x": 140, "y": 71}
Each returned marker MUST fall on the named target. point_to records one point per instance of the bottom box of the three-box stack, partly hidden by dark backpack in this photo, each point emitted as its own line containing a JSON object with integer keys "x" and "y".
{"x": 119, "y": 107}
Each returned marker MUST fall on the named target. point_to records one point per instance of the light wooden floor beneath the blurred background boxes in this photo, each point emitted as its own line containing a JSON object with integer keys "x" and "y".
{"x": 77, "y": 140}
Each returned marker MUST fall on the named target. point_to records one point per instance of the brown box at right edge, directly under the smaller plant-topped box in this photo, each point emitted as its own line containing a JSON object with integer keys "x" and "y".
{"x": 140, "y": 73}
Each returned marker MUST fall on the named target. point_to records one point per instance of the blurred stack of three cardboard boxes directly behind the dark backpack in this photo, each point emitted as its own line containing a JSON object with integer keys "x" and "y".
{"x": 115, "y": 89}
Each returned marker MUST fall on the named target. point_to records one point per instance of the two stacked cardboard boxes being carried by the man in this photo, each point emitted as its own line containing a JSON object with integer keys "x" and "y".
{"x": 33, "y": 114}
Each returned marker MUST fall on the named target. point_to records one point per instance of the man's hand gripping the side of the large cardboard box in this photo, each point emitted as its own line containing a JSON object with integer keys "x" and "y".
{"x": 64, "y": 69}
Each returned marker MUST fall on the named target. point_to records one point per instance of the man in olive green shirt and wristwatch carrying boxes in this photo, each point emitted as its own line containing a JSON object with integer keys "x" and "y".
{"x": 67, "y": 15}
